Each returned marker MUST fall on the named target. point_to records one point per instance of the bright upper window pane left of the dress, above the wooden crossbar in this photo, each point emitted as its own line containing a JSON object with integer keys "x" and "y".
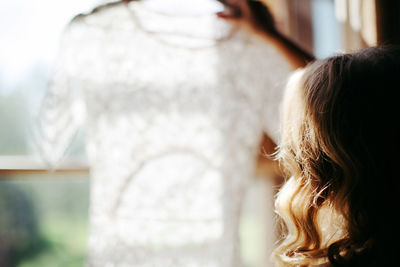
{"x": 30, "y": 33}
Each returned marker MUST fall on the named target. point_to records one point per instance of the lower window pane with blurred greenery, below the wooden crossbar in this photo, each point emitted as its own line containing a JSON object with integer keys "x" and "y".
{"x": 43, "y": 220}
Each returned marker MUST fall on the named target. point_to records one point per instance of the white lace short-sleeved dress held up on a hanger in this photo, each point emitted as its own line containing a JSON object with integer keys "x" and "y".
{"x": 175, "y": 110}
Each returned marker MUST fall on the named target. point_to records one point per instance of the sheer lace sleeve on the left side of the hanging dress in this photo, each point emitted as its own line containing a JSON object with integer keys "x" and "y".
{"x": 62, "y": 110}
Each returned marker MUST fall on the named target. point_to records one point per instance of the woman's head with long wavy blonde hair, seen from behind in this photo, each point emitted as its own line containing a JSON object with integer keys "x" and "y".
{"x": 339, "y": 145}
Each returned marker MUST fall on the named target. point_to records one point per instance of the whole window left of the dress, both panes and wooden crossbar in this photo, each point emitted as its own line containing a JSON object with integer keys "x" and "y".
{"x": 43, "y": 215}
